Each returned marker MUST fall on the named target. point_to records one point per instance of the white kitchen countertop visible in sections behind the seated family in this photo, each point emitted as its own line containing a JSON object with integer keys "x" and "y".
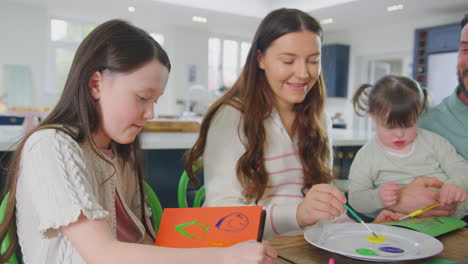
{"x": 341, "y": 137}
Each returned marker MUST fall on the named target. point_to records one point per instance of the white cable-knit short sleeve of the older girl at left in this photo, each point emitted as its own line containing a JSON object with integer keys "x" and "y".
{"x": 54, "y": 172}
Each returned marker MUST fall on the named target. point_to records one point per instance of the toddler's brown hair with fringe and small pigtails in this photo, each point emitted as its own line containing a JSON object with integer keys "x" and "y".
{"x": 396, "y": 101}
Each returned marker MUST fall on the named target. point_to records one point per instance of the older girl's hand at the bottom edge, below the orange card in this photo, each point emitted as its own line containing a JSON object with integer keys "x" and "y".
{"x": 250, "y": 252}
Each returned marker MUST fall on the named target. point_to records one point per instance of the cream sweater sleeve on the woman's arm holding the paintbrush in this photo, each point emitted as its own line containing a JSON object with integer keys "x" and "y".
{"x": 222, "y": 151}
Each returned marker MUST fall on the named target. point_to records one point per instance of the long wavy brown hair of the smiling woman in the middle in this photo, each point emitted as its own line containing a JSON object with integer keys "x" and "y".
{"x": 253, "y": 97}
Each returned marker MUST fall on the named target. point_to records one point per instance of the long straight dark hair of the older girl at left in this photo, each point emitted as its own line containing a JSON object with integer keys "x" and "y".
{"x": 116, "y": 46}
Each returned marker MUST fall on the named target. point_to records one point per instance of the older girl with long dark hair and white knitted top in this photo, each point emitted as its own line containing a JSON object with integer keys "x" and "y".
{"x": 75, "y": 182}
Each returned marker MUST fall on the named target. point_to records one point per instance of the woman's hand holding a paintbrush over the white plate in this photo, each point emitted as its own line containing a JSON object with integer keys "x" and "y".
{"x": 322, "y": 201}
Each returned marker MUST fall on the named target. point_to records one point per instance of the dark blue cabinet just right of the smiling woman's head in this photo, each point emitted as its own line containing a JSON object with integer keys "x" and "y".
{"x": 335, "y": 65}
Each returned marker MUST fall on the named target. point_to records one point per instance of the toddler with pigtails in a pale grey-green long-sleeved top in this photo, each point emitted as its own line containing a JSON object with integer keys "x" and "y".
{"x": 401, "y": 152}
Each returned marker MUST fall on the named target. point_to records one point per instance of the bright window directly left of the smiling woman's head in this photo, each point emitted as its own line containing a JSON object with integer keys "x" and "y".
{"x": 226, "y": 58}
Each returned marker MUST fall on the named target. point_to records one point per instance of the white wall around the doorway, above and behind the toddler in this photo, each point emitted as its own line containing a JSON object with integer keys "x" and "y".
{"x": 378, "y": 41}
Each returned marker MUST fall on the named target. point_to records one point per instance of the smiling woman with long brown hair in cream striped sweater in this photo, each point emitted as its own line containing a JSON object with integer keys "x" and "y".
{"x": 267, "y": 140}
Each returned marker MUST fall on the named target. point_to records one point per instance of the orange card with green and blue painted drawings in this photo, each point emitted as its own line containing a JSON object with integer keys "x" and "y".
{"x": 210, "y": 226}
